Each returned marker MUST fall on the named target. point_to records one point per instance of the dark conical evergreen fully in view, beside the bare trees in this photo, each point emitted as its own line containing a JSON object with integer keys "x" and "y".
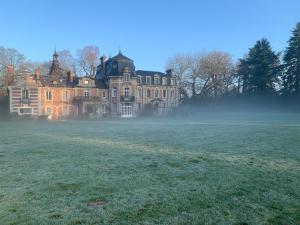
{"x": 260, "y": 69}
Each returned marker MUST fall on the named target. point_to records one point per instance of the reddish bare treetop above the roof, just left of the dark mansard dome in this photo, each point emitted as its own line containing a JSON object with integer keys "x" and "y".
{"x": 88, "y": 59}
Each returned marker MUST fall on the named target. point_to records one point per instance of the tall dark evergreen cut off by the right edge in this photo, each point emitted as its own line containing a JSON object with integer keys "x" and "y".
{"x": 291, "y": 76}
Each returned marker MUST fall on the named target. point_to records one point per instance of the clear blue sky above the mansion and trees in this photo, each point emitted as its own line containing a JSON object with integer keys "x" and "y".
{"x": 149, "y": 32}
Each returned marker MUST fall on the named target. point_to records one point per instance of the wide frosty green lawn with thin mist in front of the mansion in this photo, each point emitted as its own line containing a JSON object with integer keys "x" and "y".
{"x": 215, "y": 169}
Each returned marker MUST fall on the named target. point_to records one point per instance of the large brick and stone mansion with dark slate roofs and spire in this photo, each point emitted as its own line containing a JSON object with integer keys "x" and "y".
{"x": 118, "y": 90}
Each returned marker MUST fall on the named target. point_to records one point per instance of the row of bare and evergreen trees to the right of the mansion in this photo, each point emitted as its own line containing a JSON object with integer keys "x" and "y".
{"x": 262, "y": 72}
